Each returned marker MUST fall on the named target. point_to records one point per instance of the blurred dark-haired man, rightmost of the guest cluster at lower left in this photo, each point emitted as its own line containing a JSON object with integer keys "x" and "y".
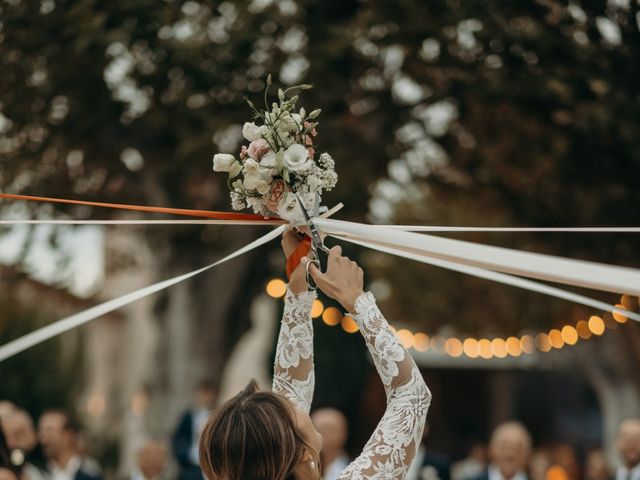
{"x": 58, "y": 433}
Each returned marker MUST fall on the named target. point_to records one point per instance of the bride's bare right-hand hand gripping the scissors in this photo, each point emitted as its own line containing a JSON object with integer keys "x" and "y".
{"x": 343, "y": 281}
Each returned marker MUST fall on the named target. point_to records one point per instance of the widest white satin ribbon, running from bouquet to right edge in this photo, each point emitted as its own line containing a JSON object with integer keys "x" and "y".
{"x": 550, "y": 268}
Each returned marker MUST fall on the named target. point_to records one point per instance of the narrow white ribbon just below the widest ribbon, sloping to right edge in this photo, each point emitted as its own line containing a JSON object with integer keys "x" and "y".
{"x": 495, "y": 276}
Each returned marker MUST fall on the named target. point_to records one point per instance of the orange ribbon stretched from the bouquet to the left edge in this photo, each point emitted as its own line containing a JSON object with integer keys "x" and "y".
{"x": 143, "y": 208}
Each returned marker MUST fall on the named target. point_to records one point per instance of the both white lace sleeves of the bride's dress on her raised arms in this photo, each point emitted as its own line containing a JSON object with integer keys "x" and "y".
{"x": 388, "y": 453}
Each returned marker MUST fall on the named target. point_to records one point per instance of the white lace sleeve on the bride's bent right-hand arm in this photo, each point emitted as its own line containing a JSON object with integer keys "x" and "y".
{"x": 389, "y": 451}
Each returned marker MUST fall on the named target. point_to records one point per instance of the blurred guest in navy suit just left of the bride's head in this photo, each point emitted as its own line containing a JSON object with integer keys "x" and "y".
{"x": 187, "y": 434}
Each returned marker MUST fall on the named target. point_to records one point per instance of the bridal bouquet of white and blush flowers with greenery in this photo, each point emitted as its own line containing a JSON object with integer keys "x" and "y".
{"x": 279, "y": 161}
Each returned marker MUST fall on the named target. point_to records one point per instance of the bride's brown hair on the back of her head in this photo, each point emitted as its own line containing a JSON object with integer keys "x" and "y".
{"x": 253, "y": 436}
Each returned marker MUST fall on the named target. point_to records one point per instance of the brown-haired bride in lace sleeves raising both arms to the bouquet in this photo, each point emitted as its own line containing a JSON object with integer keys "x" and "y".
{"x": 260, "y": 435}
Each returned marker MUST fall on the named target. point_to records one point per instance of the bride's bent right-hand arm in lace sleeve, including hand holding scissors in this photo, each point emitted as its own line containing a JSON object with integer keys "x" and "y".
{"x": 389, "y": 451}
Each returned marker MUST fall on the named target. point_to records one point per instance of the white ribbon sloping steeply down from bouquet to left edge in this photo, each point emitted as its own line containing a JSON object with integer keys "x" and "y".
{"x": 45, "y": 333}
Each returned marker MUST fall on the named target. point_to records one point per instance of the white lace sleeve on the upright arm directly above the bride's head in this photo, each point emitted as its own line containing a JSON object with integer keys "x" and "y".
{"x": 293, "y": 375}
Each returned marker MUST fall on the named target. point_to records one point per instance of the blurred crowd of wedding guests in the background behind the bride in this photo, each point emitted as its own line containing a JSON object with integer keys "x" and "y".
{"x": 53, "y": 450}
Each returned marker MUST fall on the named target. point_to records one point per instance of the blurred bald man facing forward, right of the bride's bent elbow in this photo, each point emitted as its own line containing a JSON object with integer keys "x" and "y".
{"x": 509, "y": 452}
